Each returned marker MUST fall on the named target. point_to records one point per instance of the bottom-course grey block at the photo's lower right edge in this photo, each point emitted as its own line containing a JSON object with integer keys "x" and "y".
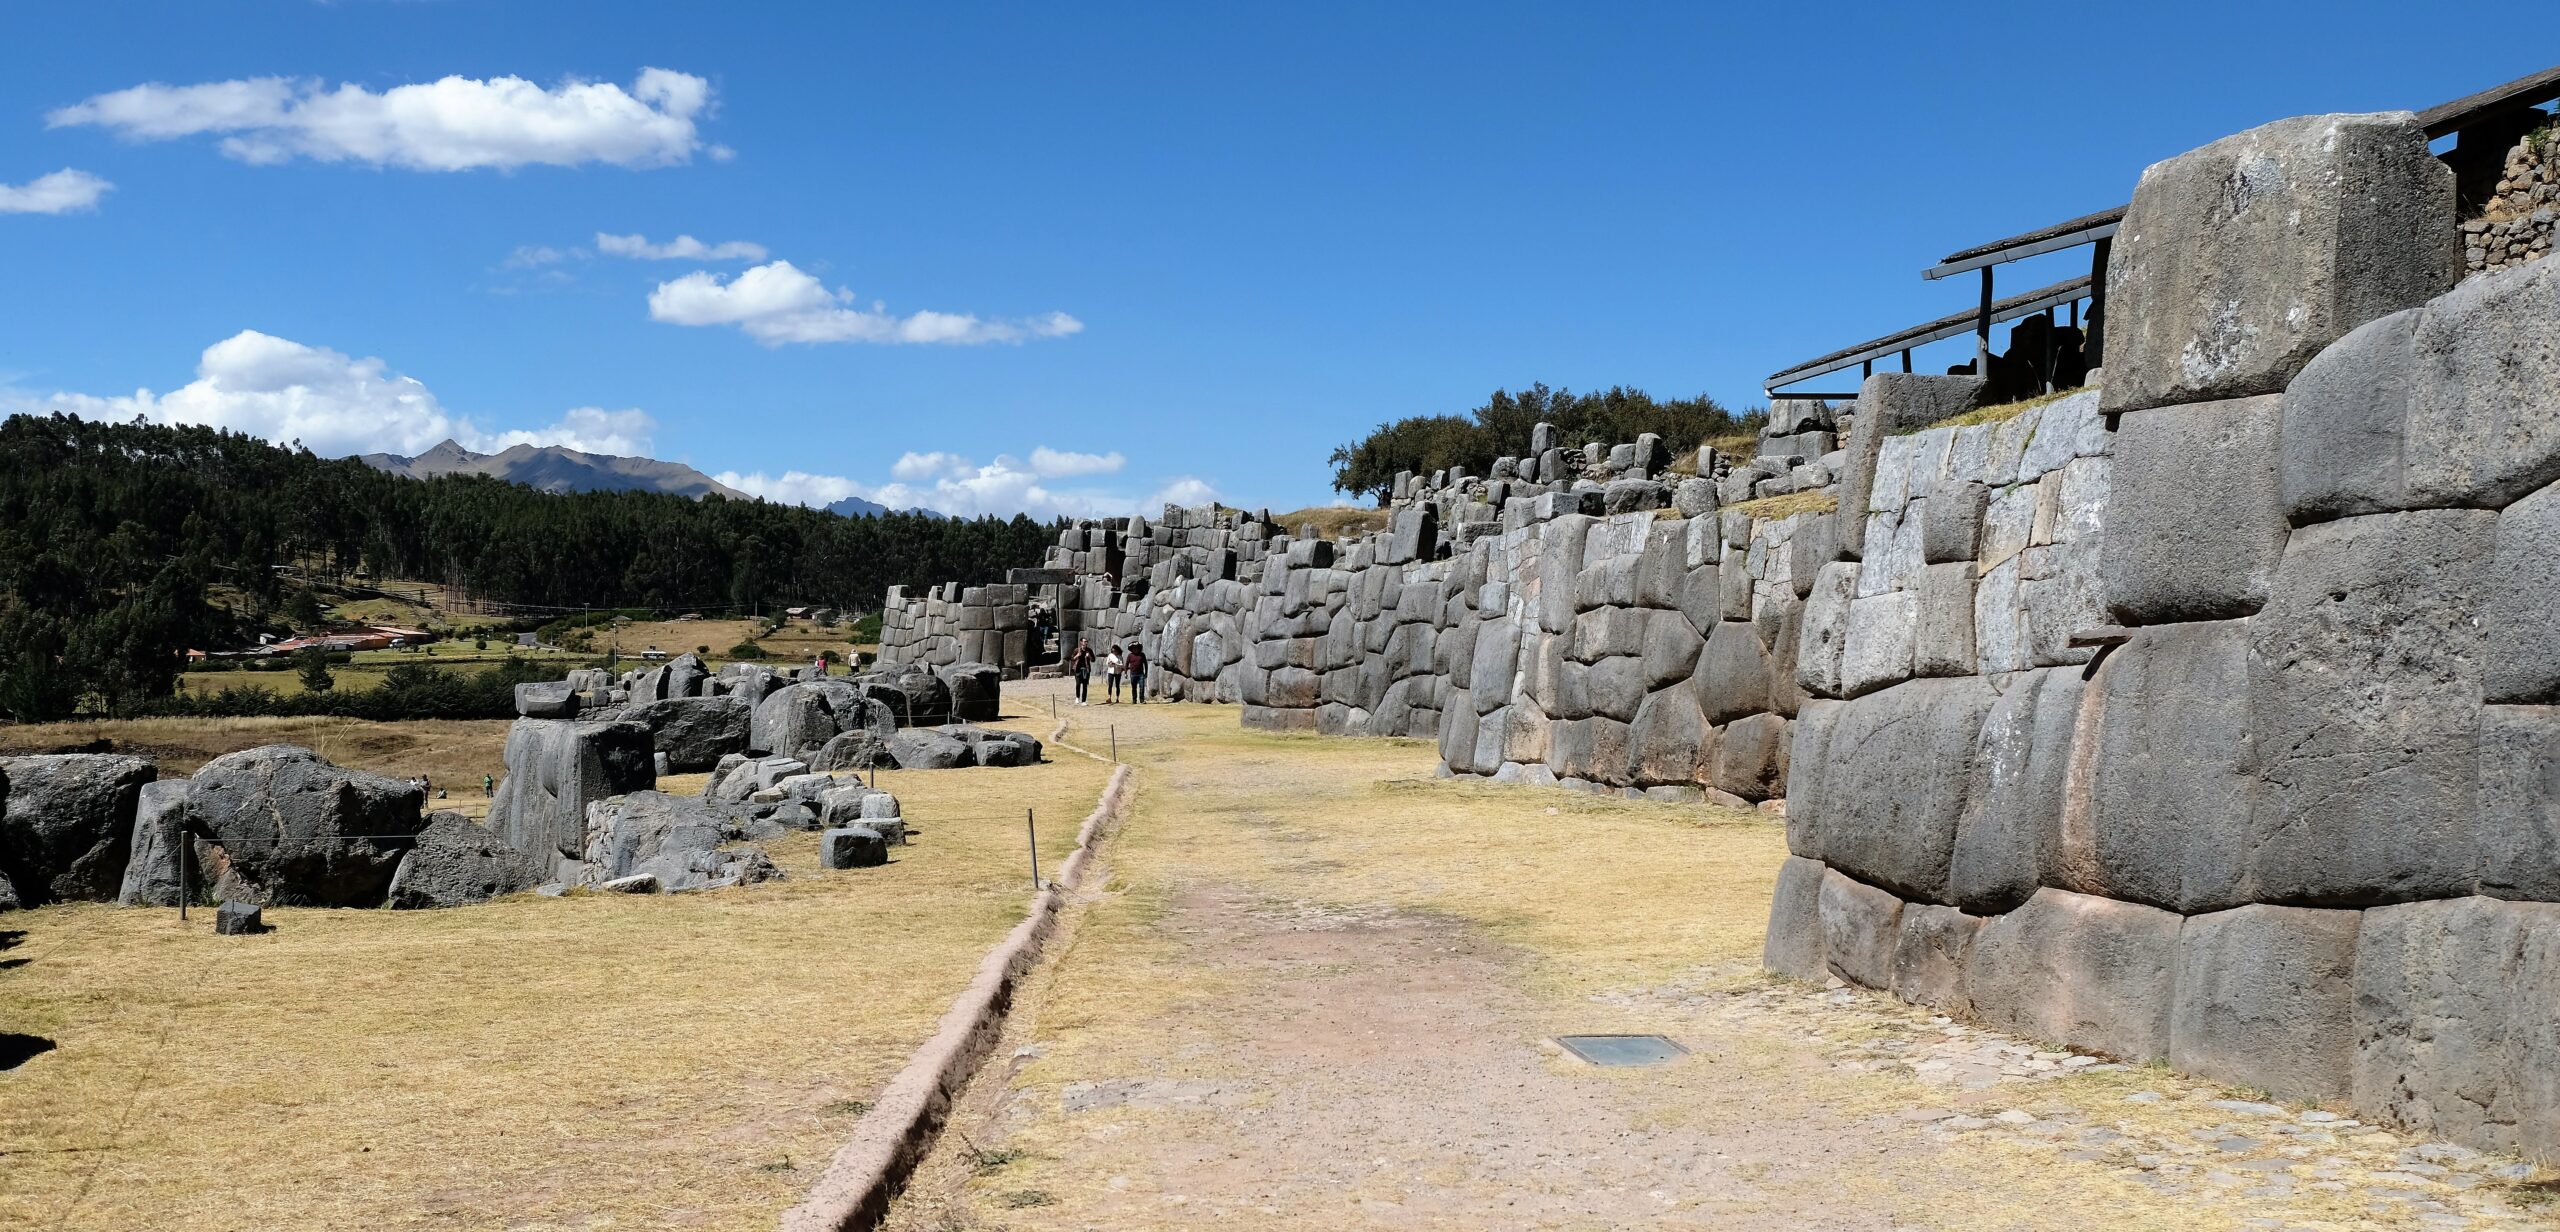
{"x": 2454, "y": 1028}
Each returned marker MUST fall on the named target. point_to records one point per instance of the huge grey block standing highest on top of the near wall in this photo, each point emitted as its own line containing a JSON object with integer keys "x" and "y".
{"x": 2244, "y": 260}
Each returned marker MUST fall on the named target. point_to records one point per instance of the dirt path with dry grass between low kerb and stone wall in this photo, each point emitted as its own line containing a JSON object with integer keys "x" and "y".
{"x": 1320, "y": 993}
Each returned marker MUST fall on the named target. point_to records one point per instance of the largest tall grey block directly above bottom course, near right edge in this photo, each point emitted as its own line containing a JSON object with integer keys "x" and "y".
{"x": 2367, "y": 711}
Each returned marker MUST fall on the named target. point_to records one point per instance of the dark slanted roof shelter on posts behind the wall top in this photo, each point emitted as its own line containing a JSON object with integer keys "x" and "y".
{"x": 2487, "y": 124}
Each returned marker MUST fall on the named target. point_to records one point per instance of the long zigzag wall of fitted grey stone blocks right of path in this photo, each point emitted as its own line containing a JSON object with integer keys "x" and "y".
{"x": 2205, "y": 716}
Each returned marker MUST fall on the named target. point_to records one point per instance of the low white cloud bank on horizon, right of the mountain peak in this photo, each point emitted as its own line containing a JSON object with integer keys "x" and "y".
{"x": 964, "y": 488}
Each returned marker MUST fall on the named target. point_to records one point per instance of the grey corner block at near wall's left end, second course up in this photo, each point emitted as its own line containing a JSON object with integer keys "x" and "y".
{"x": 1898, "y": 775}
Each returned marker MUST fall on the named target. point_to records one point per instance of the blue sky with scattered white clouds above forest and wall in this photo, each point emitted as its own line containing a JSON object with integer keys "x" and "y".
{"x": 1061, "y": 257}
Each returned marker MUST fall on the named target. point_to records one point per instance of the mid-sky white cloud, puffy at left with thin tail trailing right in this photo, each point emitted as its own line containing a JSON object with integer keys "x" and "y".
{"x": 777, "y": 304}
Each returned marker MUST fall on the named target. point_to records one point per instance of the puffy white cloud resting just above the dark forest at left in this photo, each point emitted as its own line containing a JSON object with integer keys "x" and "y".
{"x": 283, "y": 391}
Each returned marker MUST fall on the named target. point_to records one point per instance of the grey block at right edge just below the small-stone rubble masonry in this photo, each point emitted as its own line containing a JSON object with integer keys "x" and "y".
{"x": 2484, "y": 403}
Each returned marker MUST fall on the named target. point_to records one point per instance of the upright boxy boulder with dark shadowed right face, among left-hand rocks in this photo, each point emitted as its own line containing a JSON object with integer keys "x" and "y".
{"x": 557, "y": 770}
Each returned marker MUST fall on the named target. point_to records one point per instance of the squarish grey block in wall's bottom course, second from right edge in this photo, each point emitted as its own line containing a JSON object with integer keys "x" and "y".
{"x": 2267, "y": 998}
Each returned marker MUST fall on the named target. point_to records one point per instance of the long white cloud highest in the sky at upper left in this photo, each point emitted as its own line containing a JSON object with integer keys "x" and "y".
{"x": 434, "y": 127}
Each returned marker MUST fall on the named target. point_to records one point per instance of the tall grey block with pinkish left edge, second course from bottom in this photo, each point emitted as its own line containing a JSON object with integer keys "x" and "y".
{"x": 2172, "y": 793}
